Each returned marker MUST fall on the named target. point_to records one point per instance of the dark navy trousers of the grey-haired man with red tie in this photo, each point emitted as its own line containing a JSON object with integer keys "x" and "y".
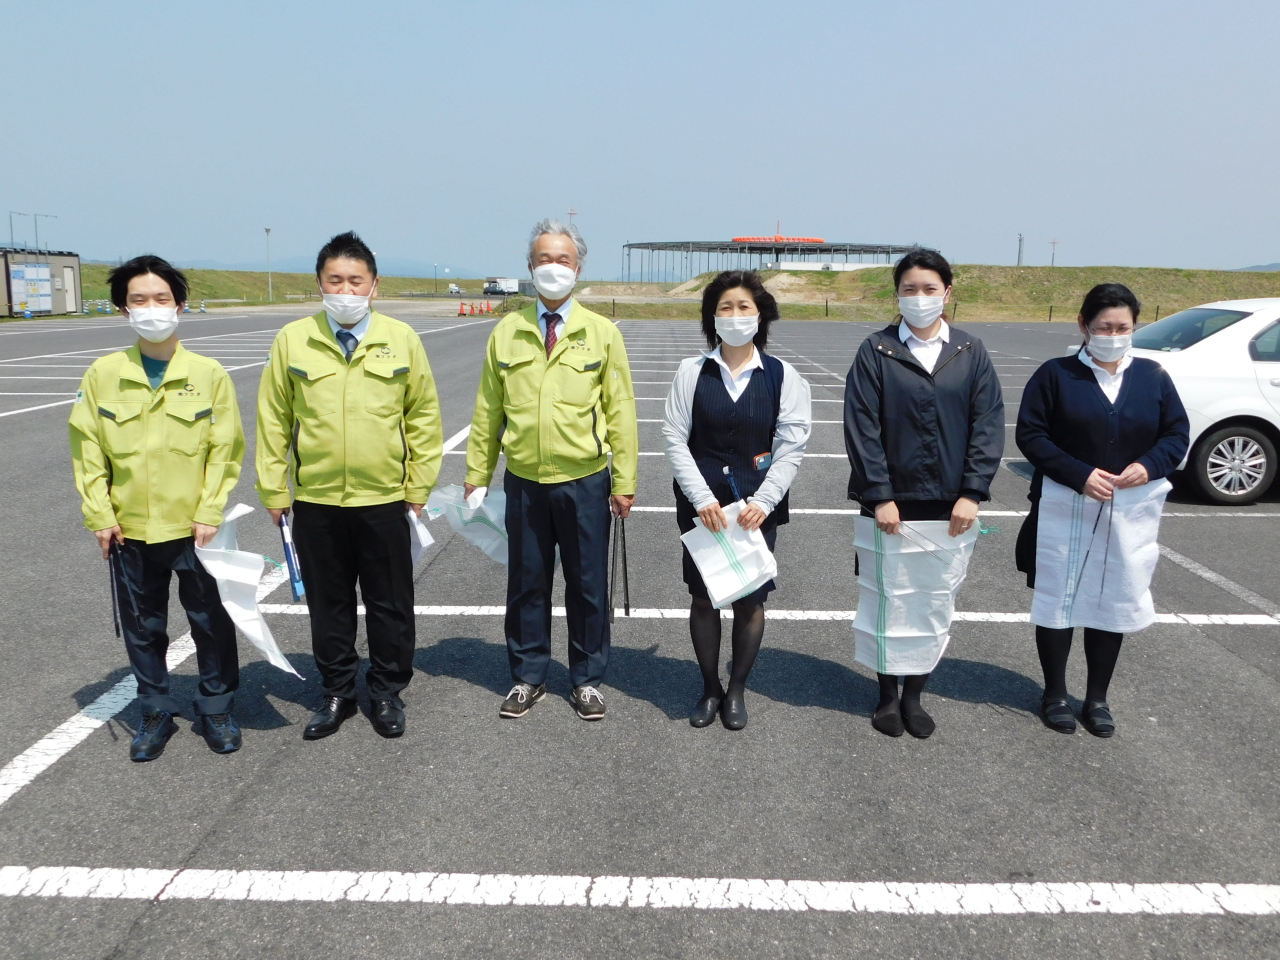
{"x": 577, "y": 516}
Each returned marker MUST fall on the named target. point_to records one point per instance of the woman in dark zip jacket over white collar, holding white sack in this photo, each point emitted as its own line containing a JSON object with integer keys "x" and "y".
{"x": 925, "y": 431}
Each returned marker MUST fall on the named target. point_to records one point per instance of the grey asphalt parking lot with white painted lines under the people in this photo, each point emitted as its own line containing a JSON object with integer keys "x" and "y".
{"x": 592, "y": 825}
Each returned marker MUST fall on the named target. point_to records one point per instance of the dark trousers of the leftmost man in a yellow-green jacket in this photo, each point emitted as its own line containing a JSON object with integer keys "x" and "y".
{"x": 144, "y": 575}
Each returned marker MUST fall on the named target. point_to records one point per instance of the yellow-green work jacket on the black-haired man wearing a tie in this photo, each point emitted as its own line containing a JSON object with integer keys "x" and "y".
{"x": 348, "y": 435}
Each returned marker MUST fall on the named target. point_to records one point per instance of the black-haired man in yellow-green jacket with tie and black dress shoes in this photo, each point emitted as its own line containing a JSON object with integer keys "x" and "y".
{"x": 348, "y": 413}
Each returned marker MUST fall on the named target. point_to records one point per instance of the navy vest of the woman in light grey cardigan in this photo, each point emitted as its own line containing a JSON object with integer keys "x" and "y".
{"x": 737, "y": 435}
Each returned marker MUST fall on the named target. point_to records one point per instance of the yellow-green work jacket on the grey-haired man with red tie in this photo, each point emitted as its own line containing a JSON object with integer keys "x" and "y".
{"x": 563, "y": 414}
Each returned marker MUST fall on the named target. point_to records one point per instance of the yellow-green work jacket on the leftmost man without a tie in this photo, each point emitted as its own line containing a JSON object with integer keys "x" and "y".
{"x": 154, "y": 461}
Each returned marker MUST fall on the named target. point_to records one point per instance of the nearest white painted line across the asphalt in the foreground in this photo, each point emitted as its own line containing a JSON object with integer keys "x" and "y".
{"x": 639, "y": 893}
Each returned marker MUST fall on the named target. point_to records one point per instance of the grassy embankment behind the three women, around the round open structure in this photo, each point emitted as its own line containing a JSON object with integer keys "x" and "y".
{"x": 980, "y": 294}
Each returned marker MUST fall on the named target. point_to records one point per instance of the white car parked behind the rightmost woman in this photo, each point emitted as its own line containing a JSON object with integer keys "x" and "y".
{"x": 1226, "y": 362}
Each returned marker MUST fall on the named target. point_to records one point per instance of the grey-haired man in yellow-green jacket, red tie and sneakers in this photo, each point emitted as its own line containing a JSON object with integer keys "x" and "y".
{"x": 557, "y": 387}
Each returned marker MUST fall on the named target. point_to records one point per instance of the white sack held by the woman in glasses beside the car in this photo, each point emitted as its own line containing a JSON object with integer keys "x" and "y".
{"x": 1095, "y": 561}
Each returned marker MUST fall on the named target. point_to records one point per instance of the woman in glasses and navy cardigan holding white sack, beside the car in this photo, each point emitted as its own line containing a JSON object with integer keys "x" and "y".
{"x": 1103, "y": 431}
